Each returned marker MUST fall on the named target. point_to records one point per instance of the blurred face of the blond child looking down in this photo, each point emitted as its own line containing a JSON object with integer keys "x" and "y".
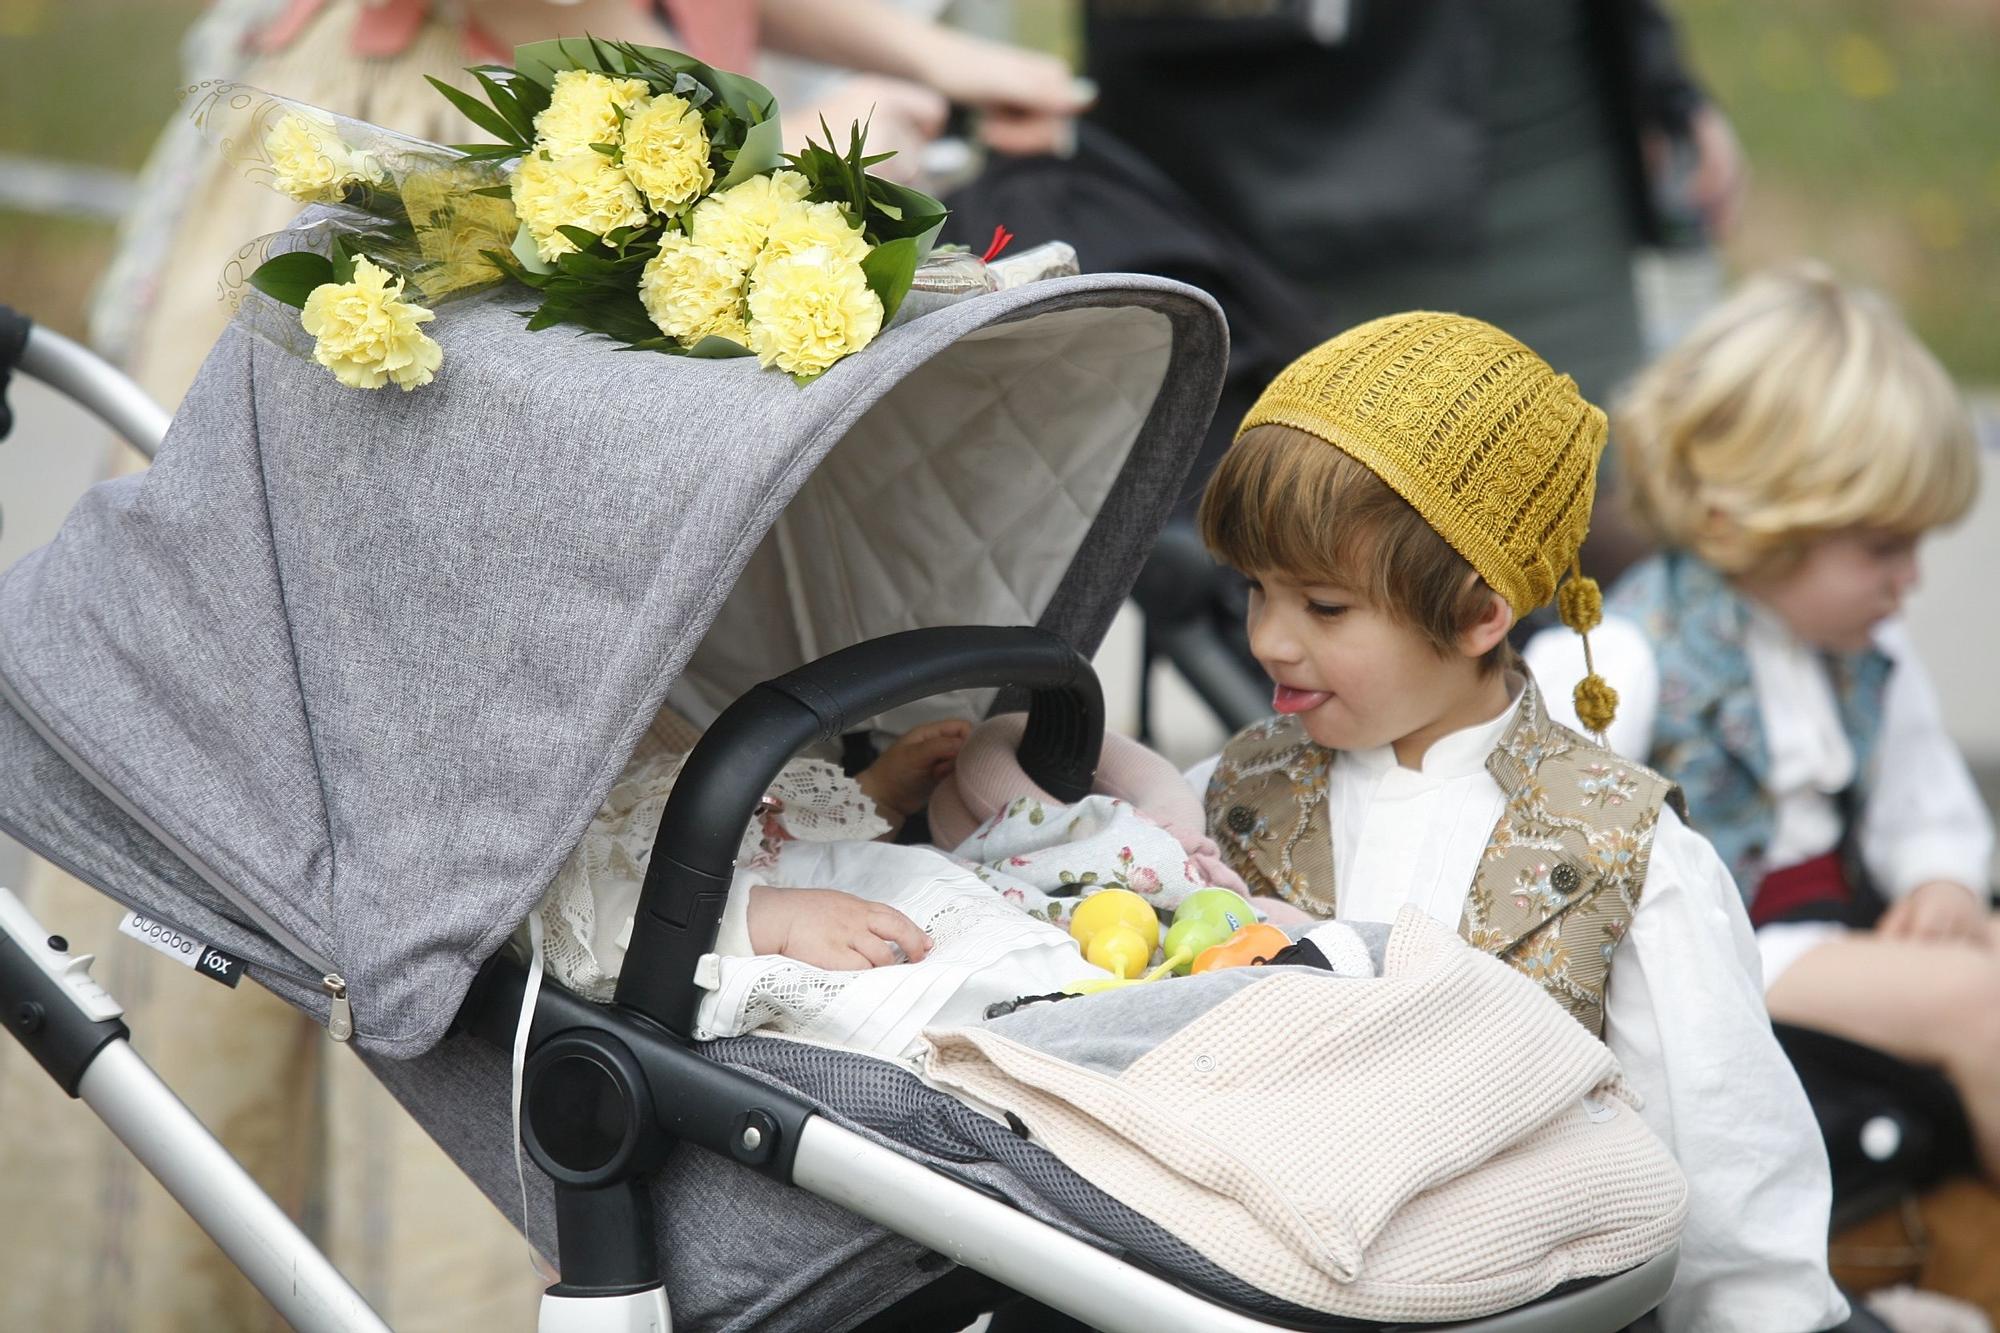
{"x": 1845, "y": 585}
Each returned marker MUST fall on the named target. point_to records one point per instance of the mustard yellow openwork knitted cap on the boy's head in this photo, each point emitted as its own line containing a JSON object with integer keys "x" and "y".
{"x": 1497, "y": 451}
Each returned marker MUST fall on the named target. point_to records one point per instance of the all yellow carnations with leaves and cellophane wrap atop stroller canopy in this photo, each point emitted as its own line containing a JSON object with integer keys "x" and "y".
{"x": 637, "y": 191}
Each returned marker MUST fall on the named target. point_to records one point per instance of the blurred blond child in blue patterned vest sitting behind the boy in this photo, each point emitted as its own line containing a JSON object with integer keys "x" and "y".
{"x": 1789, "y": 455}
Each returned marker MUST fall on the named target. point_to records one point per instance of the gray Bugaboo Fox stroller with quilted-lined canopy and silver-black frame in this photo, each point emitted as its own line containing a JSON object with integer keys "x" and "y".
{"x": 373, "y": 661}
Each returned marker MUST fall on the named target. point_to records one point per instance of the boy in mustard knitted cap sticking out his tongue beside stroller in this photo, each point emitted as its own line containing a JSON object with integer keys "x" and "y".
{"x": 1399, "y": 497}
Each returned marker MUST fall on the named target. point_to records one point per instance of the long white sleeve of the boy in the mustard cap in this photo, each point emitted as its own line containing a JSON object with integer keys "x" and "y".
{"x": 1685, "y": 1016}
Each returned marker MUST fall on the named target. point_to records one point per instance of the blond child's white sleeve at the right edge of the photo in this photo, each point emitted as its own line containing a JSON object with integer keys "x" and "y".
{"x": 1925, "y": 816}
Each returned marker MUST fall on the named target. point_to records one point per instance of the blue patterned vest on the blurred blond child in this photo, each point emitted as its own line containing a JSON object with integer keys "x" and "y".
{"x": 1709, "y": 732}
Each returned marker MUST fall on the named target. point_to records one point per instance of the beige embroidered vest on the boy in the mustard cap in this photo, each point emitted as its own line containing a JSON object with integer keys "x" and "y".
{"x": 1561, "y": 876}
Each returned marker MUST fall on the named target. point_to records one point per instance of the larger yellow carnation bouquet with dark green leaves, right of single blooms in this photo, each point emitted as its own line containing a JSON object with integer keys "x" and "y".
{"x": 657, "y": 209}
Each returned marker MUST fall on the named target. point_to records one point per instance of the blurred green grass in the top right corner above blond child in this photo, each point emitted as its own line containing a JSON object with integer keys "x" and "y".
{"x": 1875, "y": 135}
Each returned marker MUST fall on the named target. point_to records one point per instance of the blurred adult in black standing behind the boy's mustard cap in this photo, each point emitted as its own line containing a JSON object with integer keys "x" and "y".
{"x": 1495, "y": 157}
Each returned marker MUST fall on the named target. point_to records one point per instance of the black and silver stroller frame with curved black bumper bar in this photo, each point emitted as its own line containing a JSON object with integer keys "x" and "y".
{"x": 609, "y": 1088}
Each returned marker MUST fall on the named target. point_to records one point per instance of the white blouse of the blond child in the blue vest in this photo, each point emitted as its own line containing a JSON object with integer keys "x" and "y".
{"x": 1925, "y": 818}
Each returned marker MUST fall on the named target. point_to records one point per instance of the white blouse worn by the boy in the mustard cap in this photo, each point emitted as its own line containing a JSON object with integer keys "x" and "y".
{"x": 1685, "y": 1016}
